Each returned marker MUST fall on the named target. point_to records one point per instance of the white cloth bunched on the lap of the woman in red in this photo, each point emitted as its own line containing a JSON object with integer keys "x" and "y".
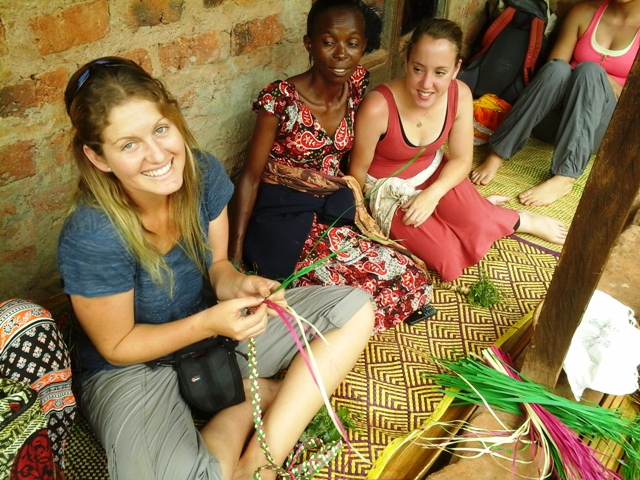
{"x": 387, "y": 194}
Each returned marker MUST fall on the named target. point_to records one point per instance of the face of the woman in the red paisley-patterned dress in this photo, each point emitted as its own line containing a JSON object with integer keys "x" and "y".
{"x": 337, "y": 44}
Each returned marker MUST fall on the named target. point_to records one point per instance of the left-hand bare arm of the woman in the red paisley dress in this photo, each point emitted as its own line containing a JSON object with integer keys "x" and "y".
{"x": 244, "y": 198}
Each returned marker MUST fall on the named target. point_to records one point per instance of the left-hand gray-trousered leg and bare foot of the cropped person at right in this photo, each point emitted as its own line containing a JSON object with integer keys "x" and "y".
{"x": 545, "y": 92}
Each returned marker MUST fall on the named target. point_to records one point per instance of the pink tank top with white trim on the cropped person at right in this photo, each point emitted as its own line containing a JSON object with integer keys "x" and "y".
{"x": 617, "y": 63}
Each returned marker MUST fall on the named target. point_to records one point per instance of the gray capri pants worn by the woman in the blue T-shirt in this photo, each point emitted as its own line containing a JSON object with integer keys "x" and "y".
{"x": 145, "y": 426}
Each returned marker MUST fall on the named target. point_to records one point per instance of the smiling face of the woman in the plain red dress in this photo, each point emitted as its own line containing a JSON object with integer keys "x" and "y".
{"x": 431, "y": 66}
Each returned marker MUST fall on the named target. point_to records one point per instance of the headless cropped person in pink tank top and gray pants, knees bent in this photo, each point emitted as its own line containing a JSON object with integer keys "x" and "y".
{"x": 587, "y": 69}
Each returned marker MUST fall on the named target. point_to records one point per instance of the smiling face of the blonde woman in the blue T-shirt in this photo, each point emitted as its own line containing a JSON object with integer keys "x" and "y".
{"x": 143, "y": 149}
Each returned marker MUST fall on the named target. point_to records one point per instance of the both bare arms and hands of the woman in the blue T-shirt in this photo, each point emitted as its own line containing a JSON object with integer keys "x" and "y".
{"x": 109, "y": 321}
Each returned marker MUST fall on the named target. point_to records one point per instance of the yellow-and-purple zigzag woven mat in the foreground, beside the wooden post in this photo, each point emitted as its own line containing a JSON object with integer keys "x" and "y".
{"x": 387, "y": 389}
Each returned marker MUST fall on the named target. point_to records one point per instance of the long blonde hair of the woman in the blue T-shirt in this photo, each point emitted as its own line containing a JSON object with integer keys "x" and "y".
{"x": 93, "y": 91}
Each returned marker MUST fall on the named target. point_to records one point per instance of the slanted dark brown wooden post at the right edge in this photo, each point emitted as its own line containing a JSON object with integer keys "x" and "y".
{"x": 608, "y": 196}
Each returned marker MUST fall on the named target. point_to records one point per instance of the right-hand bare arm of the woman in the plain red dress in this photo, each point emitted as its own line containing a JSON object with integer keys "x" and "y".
{"x": 457, "y": 168}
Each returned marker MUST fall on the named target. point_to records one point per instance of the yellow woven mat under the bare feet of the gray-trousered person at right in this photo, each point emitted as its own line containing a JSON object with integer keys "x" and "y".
{"x": 526, "y": 169}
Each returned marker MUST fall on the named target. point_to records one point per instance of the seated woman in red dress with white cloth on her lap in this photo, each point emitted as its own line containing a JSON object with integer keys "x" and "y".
{"x": 429, "y": 205}
